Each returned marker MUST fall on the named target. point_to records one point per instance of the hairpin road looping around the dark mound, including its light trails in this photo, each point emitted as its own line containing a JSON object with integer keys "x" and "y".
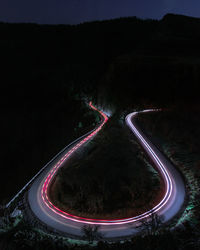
{"x": 53, "y": 217}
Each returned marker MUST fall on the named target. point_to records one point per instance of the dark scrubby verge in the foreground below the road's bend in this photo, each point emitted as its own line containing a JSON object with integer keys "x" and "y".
{"x": 25, "y": 237}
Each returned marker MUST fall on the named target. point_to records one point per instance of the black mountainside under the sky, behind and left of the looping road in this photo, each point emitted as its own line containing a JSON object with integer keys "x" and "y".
{"x": 46, "y": 69}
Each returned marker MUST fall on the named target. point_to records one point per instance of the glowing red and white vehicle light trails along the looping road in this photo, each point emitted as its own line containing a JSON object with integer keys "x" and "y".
{"x": 163, "y": 170}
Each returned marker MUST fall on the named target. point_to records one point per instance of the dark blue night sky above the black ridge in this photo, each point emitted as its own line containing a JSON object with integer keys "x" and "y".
{"x": 76, "y": 11}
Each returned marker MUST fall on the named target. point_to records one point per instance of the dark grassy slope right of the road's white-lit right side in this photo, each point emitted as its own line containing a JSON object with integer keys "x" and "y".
{"x": 176, "y": 131}
